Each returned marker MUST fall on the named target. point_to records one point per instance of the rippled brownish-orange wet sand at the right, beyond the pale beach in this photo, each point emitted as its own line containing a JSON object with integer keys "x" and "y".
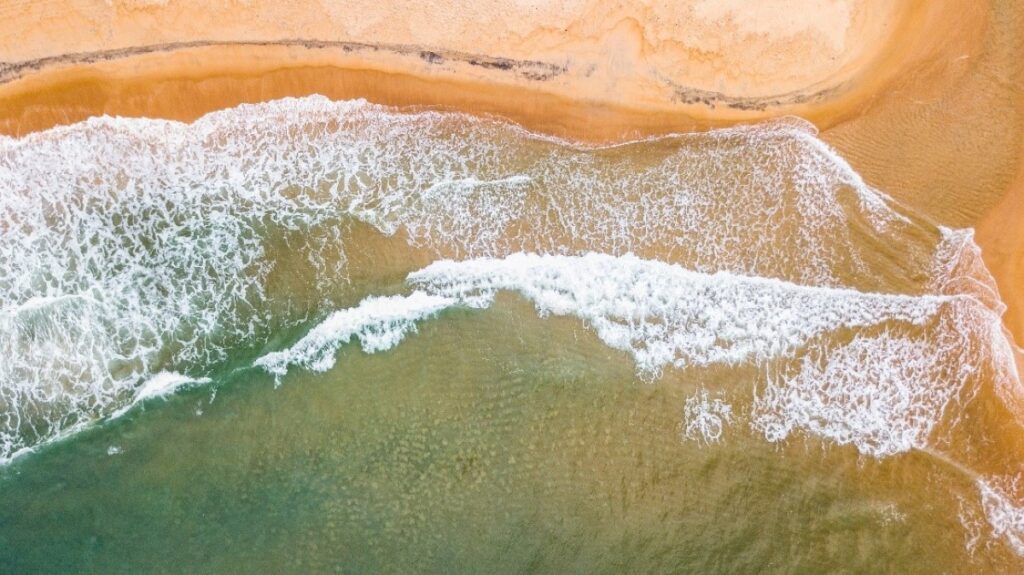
{"x": 947, "y": 140}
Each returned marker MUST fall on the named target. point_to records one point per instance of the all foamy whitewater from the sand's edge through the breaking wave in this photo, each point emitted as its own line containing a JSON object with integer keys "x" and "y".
{"x": 137, "y": 254}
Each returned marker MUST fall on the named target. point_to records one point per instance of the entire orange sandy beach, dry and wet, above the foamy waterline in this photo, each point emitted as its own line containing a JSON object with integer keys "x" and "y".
{"x": 923, "y": 97}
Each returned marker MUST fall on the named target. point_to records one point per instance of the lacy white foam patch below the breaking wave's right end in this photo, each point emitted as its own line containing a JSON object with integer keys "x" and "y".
{"x": 882, "y": 393}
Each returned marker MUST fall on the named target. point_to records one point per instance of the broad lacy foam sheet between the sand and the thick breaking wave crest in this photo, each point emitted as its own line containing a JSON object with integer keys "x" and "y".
{"x": 131, "y": 247}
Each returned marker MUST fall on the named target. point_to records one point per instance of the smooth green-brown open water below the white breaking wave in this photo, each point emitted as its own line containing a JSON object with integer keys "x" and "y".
{"x": 492, "y": 441}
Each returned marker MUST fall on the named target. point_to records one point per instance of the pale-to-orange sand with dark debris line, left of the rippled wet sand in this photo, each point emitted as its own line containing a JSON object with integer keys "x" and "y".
{"x": 609, "y": 75}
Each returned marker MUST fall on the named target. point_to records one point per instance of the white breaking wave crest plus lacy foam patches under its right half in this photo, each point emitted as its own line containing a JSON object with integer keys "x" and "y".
{"x": 873, "y": 371}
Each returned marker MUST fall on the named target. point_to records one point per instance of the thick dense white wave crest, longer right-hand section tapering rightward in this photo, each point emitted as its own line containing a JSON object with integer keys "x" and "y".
{"x": 664, "y": 315}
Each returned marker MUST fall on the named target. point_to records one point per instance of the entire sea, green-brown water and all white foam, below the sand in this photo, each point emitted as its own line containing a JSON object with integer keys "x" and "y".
{"x": 315, "y": 336}
